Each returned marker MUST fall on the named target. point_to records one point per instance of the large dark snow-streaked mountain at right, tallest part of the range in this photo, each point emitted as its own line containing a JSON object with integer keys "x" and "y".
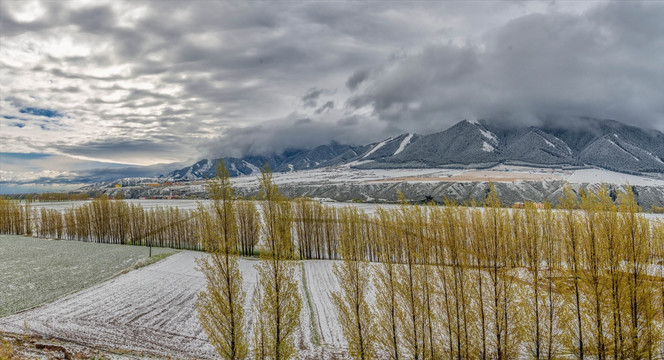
{"x": 590, "y": 142}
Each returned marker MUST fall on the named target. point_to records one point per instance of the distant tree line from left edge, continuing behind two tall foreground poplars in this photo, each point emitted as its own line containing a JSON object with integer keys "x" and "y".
{"x": 113, "y": 221}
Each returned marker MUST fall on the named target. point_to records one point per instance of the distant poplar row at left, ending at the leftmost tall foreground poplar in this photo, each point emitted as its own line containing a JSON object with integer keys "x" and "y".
{"x": 104, "y": 221}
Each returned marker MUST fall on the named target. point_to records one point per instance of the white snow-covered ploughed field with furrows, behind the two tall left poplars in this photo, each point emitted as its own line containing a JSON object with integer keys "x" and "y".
{"x": 152, "y": 310}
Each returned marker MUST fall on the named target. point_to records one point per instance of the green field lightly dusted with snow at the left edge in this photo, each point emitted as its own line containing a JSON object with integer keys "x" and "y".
{"x": 35, "y": 271}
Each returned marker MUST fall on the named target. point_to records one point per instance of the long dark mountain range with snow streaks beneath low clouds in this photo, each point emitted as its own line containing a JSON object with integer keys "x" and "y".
{"x": 584, "y": 142}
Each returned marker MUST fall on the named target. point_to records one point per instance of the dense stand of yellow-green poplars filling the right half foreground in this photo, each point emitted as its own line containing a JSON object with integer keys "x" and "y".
{"x": 492, "y": 283}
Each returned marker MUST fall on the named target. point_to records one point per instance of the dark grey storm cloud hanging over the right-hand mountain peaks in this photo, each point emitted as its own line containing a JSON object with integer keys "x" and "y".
{"x": 600, "y": 64}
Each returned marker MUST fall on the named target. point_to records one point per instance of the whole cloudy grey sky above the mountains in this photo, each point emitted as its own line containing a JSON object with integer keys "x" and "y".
{"x": 90, "y": 89}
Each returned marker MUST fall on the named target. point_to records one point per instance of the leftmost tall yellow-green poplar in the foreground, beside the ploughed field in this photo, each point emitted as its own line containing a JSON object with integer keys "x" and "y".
{"x": 220, "y": 305}
